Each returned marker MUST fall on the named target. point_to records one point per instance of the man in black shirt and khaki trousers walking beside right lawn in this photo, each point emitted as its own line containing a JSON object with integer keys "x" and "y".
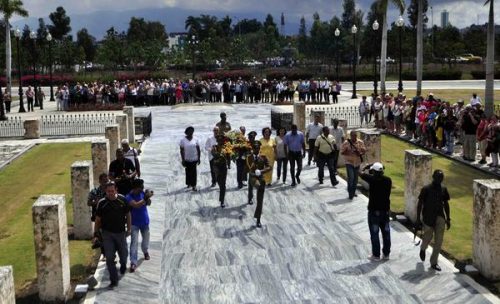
{"x": 434, "y": 211}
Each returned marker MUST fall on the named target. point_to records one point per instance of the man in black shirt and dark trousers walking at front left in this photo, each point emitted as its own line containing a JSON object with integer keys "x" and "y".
{"x": 112, "y": 215}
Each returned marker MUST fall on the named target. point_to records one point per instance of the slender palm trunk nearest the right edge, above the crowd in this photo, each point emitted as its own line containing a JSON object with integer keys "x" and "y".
{"x": 490, "y": 66}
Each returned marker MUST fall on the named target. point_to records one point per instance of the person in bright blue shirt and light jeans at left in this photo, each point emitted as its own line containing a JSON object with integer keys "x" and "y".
{"x": 138, "y": 200}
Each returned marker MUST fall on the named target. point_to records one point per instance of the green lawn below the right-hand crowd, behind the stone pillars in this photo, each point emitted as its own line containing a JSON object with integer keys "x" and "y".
{"x": 458, "y": 180}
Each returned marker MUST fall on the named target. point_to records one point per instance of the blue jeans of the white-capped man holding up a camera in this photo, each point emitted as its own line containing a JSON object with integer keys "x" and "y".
{"x": 379, "y": 220}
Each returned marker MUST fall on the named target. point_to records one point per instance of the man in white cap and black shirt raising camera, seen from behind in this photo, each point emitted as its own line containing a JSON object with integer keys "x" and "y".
{"x": 379, "y": 205}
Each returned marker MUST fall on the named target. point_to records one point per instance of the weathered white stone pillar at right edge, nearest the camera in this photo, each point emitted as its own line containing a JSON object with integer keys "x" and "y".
{"x": 486, "y": 235}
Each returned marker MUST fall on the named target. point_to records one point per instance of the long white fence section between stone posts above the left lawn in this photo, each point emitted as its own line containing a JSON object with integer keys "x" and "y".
{"x": 76, "y": 124}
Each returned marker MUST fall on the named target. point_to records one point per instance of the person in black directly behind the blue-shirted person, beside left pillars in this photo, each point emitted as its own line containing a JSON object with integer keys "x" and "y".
{"x": 122, "y": 172}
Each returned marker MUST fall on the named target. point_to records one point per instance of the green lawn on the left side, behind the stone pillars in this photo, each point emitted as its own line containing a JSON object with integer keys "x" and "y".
{"x": 45, "y": 169}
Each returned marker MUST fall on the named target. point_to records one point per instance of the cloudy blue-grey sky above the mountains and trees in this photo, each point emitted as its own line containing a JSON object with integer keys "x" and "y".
{"x": 461, "y": 12}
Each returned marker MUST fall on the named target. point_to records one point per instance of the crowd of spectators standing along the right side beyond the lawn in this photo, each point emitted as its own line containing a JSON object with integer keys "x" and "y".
{"x": 437, "y": 124}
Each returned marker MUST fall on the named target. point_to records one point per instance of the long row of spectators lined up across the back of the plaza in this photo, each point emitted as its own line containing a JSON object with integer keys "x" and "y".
{"x": 175, "y": 91}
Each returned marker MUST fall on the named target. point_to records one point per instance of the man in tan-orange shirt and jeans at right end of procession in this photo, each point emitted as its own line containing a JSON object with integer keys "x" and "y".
{"x": 353, "y": 150}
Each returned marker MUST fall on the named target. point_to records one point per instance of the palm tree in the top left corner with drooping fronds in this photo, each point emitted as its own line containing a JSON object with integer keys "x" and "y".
{"x": 10, "y": 8}
